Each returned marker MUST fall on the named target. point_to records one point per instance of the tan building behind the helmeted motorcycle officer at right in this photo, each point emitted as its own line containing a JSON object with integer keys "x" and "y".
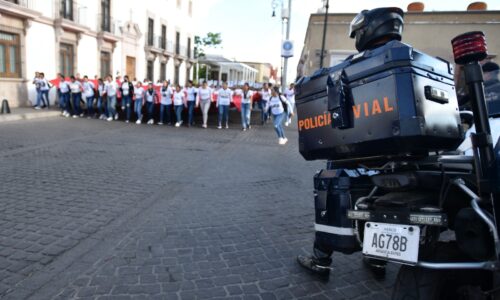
{"x": 428, "y": 31}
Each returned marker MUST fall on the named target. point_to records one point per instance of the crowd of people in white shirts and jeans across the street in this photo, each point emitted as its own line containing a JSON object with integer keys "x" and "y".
{"x": 105, "y": 98}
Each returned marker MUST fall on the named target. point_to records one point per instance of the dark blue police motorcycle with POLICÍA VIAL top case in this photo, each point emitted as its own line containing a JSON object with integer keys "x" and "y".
{"x": 395, "y": 187}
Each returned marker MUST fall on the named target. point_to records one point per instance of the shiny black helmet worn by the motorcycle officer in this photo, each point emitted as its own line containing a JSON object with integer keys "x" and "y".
{"x": 371, "y": 26}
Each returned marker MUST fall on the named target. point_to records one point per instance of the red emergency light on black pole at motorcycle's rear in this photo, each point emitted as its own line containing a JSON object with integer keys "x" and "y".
{"x": 469, "y": 47}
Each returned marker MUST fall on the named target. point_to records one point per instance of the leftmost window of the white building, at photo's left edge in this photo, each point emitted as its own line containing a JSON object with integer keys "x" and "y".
{"x": 10, "y": 63}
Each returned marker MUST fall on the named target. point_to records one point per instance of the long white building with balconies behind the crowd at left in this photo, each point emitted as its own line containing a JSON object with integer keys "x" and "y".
{"x": 149, "y": 39}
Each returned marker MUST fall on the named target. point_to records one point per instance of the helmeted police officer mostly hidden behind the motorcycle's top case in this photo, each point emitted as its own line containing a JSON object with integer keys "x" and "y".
{"x": 371, "y": 29}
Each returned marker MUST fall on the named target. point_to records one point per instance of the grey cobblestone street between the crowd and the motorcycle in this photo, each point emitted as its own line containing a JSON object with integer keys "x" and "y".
{"x": 97, "y": 210}
